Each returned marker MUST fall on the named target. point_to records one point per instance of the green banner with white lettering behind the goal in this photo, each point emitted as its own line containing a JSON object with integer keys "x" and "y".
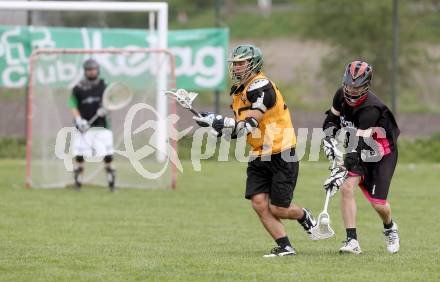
{"x": 200, "y": 53}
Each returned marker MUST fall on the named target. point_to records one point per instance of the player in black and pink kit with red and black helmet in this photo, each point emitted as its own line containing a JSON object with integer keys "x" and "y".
{"x": 371, "y": 152}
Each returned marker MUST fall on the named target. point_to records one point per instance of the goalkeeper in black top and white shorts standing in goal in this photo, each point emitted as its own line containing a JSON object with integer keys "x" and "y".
{"x": 93, "y": 139}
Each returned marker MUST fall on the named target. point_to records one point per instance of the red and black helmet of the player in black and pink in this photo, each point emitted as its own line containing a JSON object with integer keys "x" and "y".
{"x": 356, "y": 82}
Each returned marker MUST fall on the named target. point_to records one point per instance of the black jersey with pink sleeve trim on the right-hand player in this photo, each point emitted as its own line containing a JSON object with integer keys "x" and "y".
{"x": 372, "y": 113}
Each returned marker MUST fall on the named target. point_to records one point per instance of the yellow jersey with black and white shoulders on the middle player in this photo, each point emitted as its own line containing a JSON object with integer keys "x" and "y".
{"x": 275, "y": 132}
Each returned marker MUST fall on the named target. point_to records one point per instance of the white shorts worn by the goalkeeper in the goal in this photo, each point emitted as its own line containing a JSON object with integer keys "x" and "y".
{"x": 95, "y": 142}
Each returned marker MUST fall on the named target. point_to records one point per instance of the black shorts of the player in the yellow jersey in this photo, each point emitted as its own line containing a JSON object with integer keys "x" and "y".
{"x": 275, "y": 177}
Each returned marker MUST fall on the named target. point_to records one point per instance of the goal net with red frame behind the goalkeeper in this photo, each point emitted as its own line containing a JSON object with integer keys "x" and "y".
{"x": 140, "y": 129}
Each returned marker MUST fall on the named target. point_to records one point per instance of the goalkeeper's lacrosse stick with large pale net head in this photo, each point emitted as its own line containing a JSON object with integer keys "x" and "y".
{"x": 115, "y": 97}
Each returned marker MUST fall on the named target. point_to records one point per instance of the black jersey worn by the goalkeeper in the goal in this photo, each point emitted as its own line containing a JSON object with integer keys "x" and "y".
{"x": 89, "y": 100}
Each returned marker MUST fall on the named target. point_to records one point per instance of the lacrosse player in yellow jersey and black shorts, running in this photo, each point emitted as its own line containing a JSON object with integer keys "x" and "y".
{"x": 262, "y": 116}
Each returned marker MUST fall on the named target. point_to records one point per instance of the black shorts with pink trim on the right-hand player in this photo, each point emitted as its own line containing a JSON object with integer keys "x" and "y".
{"x": 376, "y": 177}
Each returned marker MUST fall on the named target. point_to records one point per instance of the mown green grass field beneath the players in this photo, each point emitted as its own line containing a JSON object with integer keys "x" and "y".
{"x": 206, "y": 231}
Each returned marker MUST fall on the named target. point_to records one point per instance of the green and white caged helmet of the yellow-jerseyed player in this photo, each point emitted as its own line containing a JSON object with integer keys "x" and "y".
{"x": 245, "y": 60}
